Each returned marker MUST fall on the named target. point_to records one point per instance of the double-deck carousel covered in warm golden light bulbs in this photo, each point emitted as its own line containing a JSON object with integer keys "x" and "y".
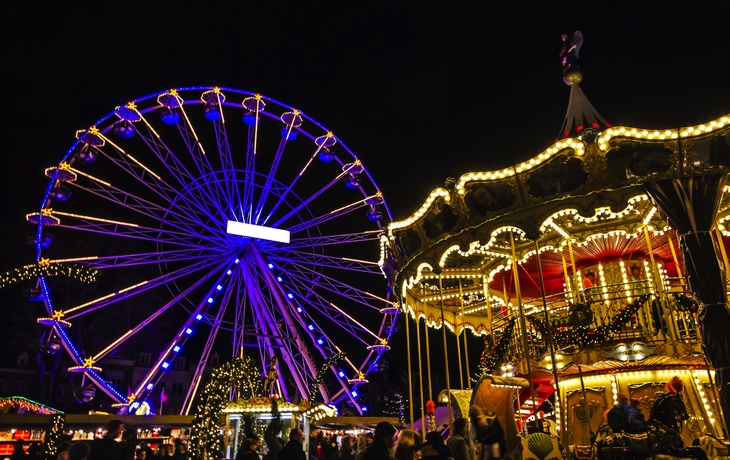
{"x": 595, "y": 269}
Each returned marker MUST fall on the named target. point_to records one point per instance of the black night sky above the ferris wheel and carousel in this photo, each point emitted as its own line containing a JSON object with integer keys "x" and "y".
{"x": 418, "y": 90}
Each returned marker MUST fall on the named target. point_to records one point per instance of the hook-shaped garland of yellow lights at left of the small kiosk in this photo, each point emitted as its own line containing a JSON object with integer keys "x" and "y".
{"x": 205, "y": 438}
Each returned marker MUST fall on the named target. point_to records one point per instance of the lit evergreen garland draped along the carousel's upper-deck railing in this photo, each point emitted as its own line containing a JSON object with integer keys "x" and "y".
{"x": 583, "y": 336}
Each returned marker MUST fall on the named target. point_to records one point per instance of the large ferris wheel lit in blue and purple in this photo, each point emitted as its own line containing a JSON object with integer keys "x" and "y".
{"x": 232, "y": 216}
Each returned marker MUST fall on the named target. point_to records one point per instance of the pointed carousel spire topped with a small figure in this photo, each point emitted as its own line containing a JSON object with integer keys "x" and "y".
{"x": 581, "y": 114}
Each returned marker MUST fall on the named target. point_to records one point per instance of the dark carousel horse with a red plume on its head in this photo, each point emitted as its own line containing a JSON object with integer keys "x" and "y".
{"x": 662, "y": 435}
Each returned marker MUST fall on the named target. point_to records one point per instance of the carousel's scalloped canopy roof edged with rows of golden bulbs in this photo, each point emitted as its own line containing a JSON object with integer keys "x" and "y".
{"x": 580, "y": 202}
